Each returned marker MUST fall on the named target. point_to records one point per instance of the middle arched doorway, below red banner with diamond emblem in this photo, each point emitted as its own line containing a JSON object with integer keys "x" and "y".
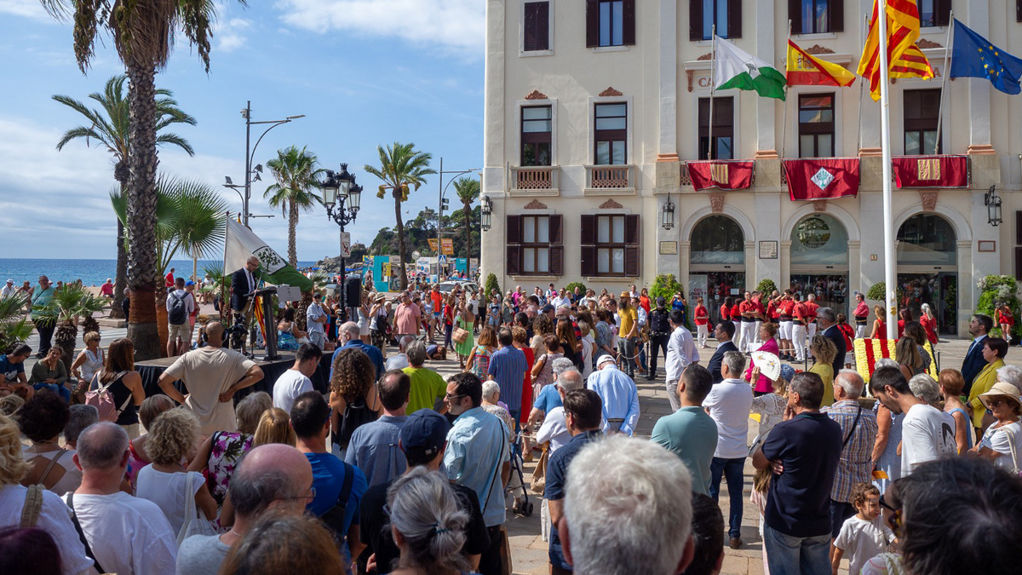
{"x": 820, "y": 261}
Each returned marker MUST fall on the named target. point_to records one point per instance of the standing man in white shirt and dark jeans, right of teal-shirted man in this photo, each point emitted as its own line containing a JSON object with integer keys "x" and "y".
{"x": 729, "y": 404}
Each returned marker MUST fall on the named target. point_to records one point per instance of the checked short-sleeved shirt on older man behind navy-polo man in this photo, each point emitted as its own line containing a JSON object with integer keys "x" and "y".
{"x": 855, "y": 465}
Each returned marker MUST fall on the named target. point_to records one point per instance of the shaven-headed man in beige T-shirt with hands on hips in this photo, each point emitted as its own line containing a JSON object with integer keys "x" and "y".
{"x": 212, "y": 375}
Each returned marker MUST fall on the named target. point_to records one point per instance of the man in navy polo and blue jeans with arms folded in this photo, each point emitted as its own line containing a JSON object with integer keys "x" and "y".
{"x": 804, "y": 454}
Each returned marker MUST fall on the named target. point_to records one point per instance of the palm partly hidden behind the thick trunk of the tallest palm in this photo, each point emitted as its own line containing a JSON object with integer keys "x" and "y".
{"x": 109, "y": 127}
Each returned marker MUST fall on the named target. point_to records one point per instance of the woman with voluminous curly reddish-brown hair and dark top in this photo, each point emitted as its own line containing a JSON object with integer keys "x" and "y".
{"x": 354, "y": 400}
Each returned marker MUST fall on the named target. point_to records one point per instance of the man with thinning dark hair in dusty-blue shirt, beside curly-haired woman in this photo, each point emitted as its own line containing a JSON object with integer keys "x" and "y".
{"x": 374, "y": 448}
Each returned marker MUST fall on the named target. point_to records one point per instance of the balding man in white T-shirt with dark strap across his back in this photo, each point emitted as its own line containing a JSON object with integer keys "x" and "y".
{"x": 128, "y": 536}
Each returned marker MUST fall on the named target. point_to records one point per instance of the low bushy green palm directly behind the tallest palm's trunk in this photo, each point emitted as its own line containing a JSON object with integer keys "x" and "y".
{"x": 190, "y": 218}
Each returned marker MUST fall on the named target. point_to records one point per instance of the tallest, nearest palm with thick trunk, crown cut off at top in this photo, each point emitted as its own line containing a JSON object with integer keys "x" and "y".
{"x": 144, "y": 34}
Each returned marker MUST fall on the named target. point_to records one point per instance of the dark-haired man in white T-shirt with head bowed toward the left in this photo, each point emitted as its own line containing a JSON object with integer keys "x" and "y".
{"x": 926, "y": 435}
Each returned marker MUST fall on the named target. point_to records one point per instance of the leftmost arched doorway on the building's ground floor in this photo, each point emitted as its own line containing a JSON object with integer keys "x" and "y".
{"x": 717, "y": 262}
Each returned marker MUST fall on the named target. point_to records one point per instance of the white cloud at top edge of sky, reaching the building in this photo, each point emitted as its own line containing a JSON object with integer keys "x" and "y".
{"x": 453, "y": 25}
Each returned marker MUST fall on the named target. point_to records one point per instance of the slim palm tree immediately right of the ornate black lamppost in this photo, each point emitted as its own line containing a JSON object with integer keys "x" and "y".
{"x": 402, "y": 168}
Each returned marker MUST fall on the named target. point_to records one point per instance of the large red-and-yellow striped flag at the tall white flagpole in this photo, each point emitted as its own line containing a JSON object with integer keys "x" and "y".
{"x": 904, "y": 58}
